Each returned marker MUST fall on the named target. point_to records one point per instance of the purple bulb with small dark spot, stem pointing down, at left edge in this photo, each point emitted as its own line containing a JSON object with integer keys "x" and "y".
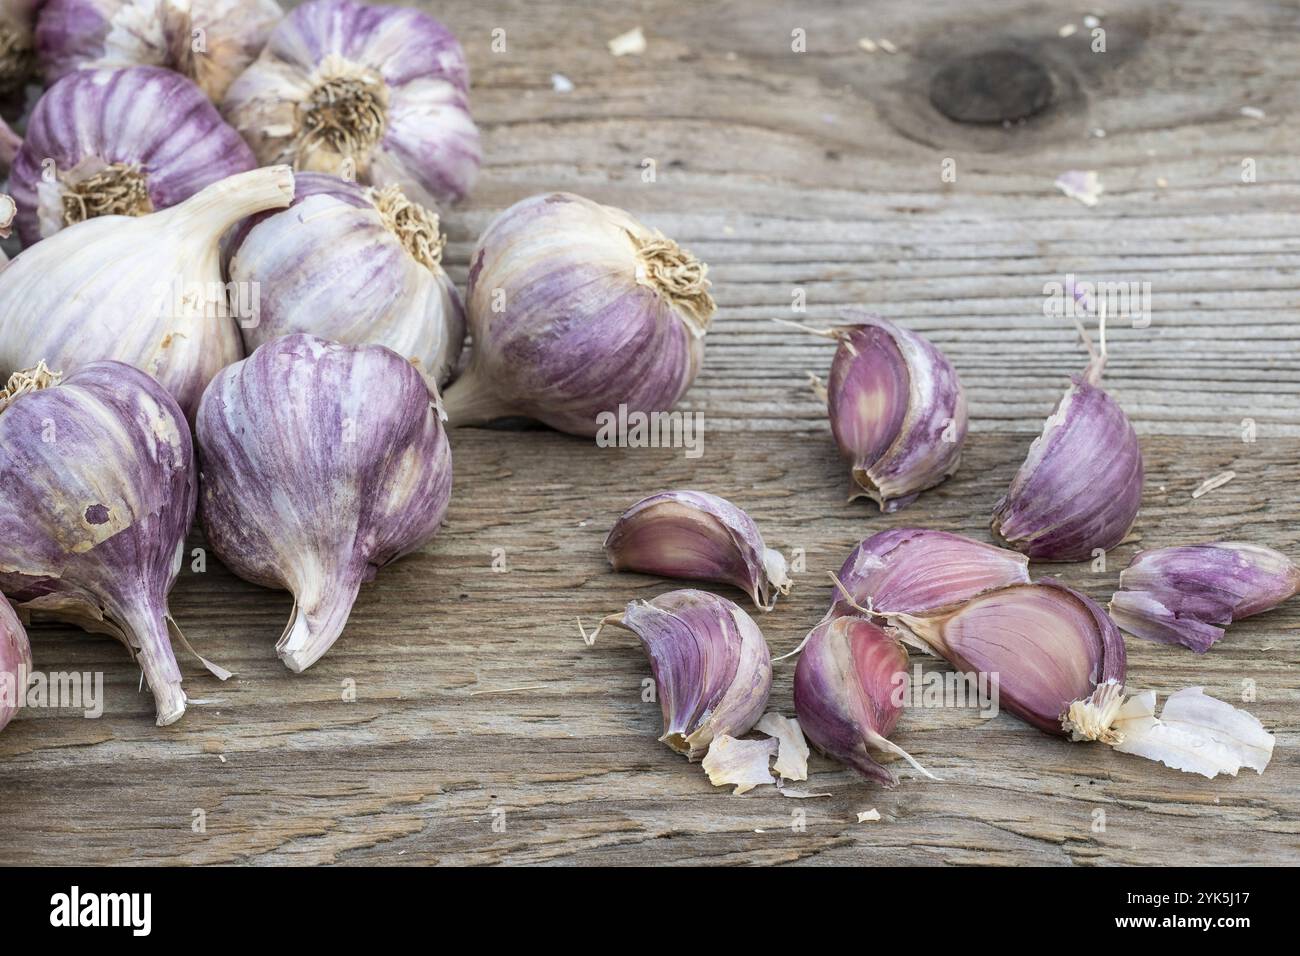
{"x": 99, "y": 492}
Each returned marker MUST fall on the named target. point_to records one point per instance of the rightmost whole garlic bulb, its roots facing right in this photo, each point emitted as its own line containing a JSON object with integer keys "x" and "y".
{"x": 575, "y": 310}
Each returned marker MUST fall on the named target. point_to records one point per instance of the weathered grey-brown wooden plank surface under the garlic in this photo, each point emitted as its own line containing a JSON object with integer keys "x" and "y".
{"x": 816, "y": 171}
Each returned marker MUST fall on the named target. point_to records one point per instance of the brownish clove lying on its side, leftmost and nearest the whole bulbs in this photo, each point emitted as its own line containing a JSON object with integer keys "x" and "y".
{"x": 700, "y": 537}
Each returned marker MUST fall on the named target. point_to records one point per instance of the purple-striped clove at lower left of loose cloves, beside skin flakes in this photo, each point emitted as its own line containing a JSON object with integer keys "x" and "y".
{"x": 710, "y": 664}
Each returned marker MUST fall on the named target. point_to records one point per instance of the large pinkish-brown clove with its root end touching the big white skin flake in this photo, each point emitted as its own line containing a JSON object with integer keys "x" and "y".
{"x": 1048, "y": 646}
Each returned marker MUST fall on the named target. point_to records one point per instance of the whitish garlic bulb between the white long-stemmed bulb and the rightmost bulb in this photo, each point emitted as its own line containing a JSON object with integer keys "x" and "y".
{"x": 383, "y": 256}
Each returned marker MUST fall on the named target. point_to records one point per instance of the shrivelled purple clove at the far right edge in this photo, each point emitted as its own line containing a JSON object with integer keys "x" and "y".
{"x": 1189, "y": 595}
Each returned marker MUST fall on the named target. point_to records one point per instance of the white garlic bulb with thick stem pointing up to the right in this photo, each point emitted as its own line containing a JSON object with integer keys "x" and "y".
{"x": 146, "y": 291}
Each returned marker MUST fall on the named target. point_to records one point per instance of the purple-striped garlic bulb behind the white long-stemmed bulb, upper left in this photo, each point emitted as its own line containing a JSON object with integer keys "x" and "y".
{"x": 119, "y": 142}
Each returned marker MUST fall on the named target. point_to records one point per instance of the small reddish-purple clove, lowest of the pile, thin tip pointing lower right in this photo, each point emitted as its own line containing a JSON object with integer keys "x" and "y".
{"x": 850, "y": 690}
